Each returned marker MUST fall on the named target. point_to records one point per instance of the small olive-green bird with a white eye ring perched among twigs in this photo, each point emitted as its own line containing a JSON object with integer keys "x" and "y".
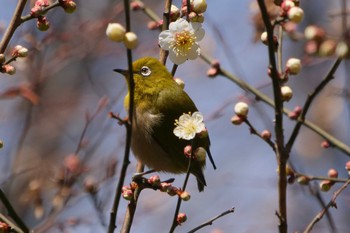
{"x": 158, "y": 102}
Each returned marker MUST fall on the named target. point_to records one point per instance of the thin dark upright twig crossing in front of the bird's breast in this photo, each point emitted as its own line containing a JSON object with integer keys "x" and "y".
{"x": 126, "y": 161}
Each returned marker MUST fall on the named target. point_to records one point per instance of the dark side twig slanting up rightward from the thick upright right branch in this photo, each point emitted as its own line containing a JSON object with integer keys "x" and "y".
{"x": 309, "y": 100}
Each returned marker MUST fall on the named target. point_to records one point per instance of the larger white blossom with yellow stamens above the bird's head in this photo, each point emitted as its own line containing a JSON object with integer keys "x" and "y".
{"x": 181, "y": 40}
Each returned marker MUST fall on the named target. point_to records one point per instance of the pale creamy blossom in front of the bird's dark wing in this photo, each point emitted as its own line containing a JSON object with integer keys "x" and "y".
{"x": 187, "y": 126}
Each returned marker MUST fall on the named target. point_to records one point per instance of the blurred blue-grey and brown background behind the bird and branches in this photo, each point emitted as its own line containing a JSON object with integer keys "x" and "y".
{"x": 56, "y": 106}
